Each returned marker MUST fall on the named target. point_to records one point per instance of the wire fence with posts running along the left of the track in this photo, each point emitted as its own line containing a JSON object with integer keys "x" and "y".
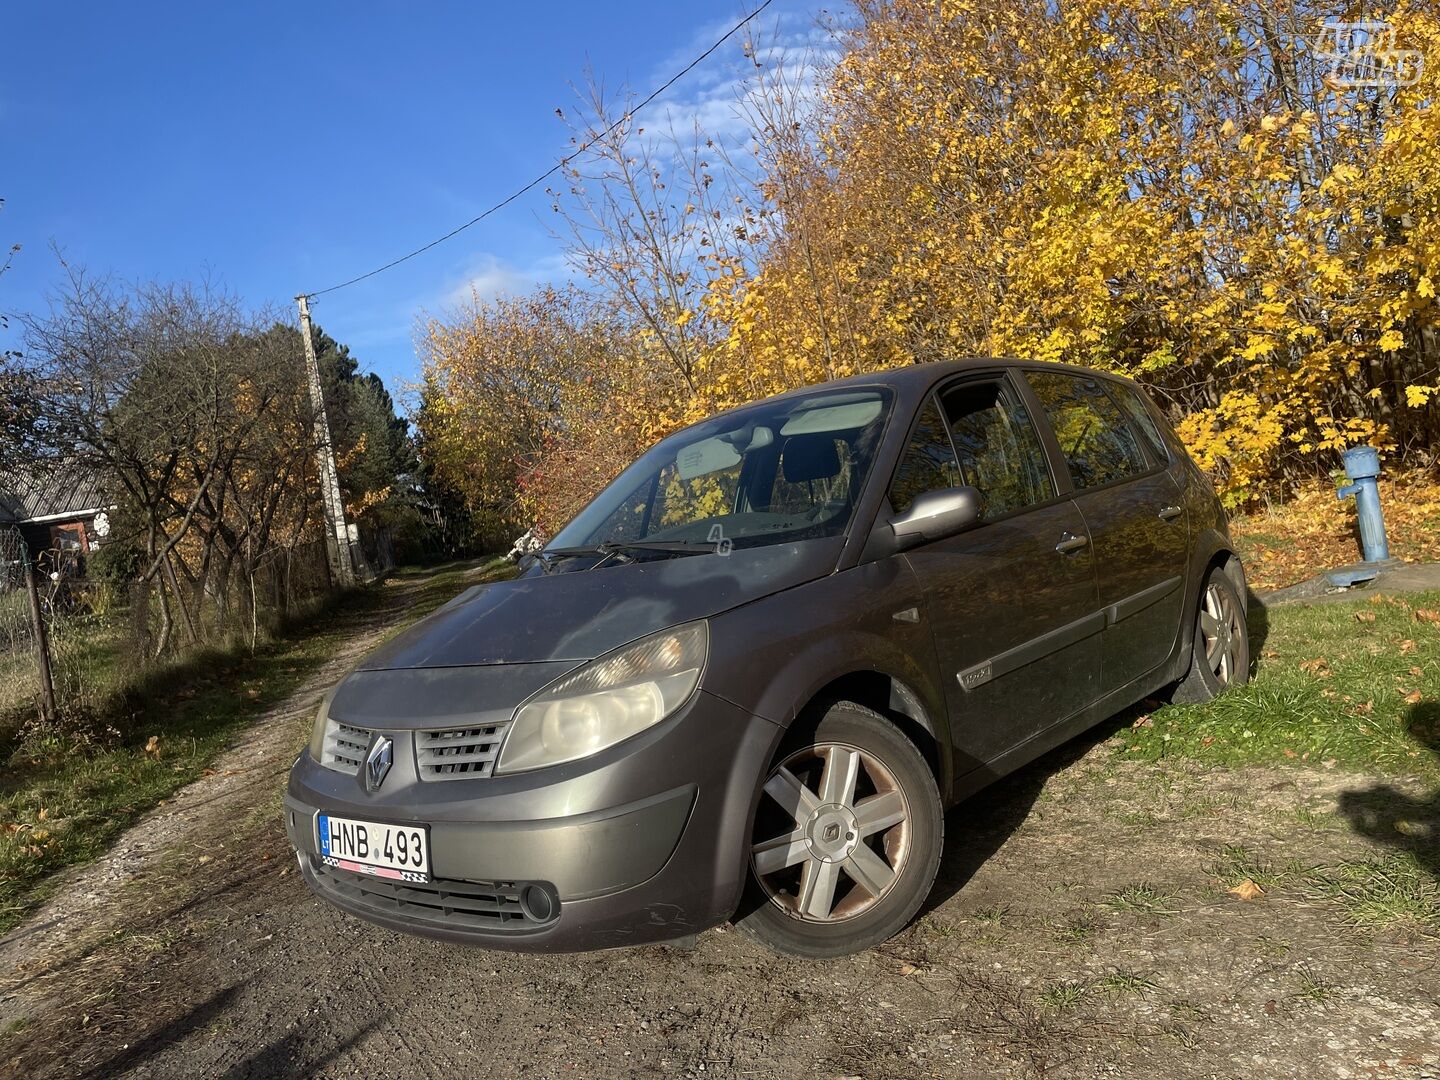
{"x": 100, "y": 637}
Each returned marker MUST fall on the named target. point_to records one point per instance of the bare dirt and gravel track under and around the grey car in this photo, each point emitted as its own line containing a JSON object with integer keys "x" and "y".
{"x": 1082, "y": 927}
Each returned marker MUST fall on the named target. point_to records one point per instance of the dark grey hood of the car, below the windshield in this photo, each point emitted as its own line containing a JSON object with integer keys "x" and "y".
{"x": 578, "y": 616}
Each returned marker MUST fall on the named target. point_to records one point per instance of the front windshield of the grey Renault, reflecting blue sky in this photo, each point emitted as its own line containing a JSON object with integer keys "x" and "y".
{"x": 774, "y": 473}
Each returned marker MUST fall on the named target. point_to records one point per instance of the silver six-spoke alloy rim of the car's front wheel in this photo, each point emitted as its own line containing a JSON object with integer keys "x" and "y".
{"x": 833, "y": 834}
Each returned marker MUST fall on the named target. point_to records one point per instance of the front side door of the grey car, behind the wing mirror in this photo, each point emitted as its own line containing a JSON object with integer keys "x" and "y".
{"x": 1012, "y": 603}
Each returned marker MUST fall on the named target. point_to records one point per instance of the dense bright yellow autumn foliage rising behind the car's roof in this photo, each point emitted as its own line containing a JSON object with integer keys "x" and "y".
{"x": 1173, "y": 191}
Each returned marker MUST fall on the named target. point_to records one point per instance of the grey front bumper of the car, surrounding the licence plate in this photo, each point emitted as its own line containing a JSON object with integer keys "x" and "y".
{"x": 643, "y": 843}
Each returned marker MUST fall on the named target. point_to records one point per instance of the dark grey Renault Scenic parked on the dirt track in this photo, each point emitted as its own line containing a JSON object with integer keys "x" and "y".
{"x": 750, "y": 679}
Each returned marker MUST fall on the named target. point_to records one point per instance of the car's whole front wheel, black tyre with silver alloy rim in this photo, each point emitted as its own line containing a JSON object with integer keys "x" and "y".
{"x": 847, "y": 839}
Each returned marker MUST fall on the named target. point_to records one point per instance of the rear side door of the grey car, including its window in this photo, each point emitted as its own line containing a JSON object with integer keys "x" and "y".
{"x": 1134, "y": 509}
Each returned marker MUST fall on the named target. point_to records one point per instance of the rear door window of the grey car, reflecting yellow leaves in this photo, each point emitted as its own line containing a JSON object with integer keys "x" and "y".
{"x": 1099, "y": 446}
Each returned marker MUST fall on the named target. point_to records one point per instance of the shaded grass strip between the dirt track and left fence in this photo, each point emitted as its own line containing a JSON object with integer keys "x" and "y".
{"x": 63, "y": 807}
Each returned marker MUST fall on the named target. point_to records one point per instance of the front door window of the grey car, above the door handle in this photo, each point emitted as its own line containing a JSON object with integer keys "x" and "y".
{"x": 999, "y": 449}
